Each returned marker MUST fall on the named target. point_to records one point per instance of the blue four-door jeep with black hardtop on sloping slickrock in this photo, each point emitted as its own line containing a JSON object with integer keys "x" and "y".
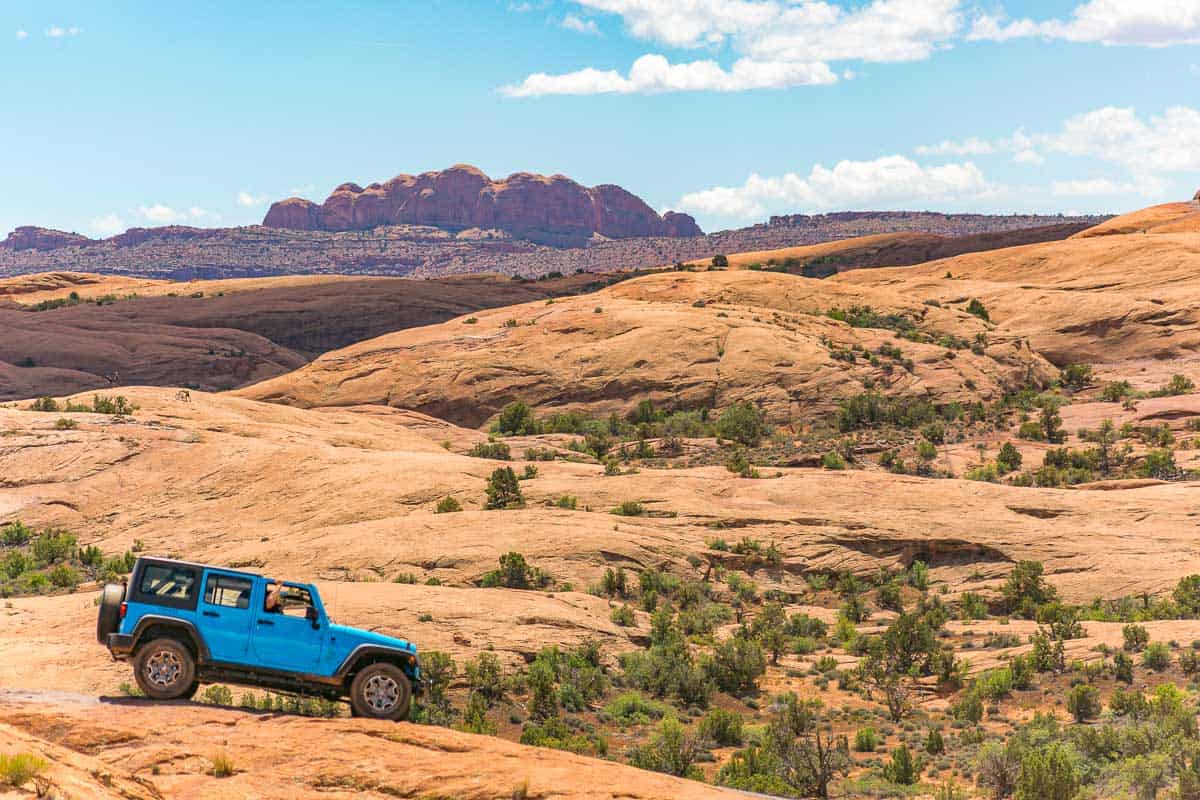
{"x": 182, "y": 624}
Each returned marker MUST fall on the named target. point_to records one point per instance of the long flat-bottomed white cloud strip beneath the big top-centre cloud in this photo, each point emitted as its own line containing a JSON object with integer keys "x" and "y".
{"x": 655, "y": 74}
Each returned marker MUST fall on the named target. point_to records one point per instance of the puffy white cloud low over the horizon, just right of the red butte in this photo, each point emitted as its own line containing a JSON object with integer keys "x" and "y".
{"x": 891, "y": 181}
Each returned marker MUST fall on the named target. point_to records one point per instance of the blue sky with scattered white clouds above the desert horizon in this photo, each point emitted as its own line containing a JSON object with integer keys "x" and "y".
{"x": 140, "y": 113}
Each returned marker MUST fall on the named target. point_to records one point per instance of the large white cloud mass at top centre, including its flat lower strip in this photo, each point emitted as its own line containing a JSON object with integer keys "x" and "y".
{"x": 778, "y": 44}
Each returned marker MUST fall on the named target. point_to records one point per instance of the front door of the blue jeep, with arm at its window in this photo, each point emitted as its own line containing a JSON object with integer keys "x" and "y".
{"x": 289, "y": 640}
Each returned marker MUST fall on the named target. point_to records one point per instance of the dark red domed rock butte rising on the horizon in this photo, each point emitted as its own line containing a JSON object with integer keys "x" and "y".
{"x": 553, "y": 210}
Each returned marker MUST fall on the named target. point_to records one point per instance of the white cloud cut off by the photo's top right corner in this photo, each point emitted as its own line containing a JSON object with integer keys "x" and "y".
{"x": 1147, "y": 23}
